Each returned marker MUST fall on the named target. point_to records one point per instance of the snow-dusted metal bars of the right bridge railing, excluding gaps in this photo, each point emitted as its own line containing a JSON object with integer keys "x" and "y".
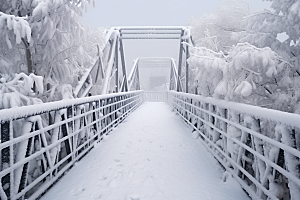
{"x": 195, "y": 110}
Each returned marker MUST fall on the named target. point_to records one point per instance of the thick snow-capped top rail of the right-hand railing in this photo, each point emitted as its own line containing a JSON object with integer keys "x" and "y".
{"x": 290, "y": 119}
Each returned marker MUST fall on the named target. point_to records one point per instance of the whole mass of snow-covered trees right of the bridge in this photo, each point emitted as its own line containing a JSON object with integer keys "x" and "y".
{"x": 258, "y": 61}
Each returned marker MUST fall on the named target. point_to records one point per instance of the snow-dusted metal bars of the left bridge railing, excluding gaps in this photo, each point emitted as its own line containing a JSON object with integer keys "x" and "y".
{"x": 93, "y": 117}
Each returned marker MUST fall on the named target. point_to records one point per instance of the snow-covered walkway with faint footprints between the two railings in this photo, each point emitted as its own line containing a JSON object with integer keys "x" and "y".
{"x": 150, "y": 156}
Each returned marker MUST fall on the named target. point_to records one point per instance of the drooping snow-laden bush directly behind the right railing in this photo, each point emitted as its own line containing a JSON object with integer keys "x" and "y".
{"x": 248, "y": 74}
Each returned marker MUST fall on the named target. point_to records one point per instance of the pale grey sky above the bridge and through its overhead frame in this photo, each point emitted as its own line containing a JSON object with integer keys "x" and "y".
{"x": 152, "y": 13}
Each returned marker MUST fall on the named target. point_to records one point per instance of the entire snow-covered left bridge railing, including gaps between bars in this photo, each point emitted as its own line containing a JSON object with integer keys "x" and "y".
{"x": 40, "y": 142}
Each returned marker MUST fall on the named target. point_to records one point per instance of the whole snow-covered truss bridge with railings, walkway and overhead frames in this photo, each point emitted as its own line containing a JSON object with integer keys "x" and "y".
{"x": 152, "y": 155}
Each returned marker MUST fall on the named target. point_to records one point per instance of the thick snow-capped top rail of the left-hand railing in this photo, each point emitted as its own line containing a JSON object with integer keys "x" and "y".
{"x": 25, "y": 111}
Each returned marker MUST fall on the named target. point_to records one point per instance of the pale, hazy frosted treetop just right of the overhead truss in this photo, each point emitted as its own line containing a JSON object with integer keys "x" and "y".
{"x": 213, "y": 31}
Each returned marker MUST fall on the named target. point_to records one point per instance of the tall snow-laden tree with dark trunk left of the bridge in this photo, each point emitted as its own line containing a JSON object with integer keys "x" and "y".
{"x": 44, "y": 37}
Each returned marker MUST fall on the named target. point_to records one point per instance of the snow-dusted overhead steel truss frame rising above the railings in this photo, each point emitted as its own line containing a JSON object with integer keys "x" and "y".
{"x": 112, "y": 67}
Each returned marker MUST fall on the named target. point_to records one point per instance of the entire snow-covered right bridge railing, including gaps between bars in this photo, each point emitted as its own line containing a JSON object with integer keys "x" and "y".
{"x": 259, "y": 147}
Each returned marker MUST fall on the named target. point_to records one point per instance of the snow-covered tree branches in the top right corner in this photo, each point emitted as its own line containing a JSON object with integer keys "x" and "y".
{"x": 262, "y": 28}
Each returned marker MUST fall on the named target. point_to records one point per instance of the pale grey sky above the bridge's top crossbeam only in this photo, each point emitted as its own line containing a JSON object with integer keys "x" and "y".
{"x": 153, "y": 12}
